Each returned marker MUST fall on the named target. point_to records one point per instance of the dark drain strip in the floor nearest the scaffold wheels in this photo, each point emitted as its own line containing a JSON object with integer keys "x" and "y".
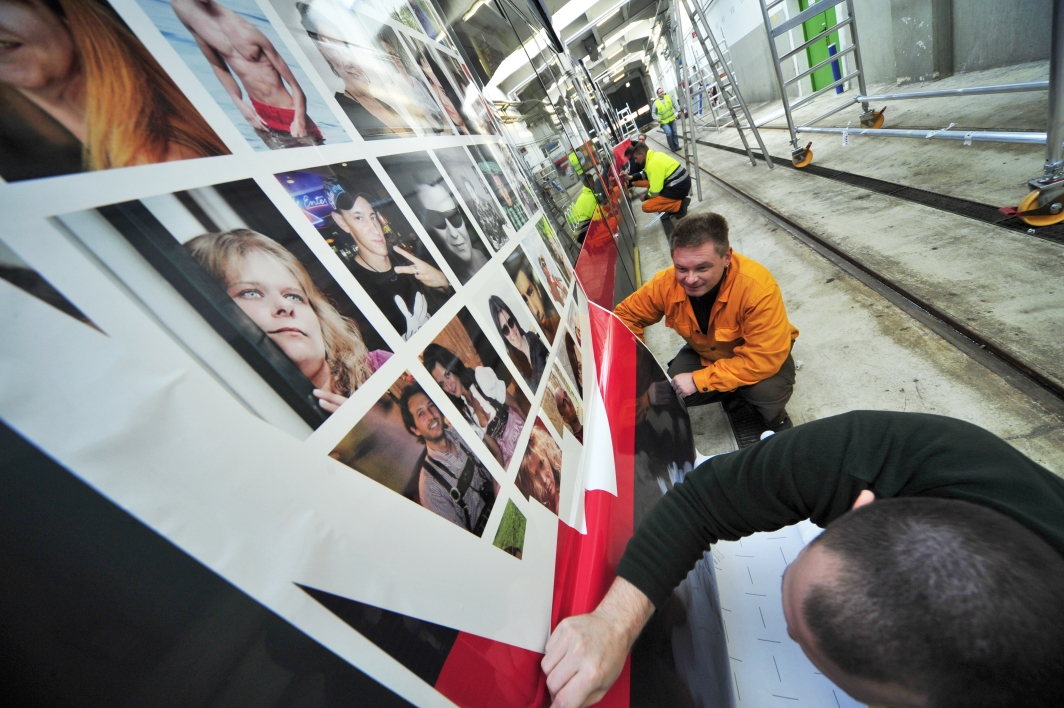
{"x": 973, "y": 210}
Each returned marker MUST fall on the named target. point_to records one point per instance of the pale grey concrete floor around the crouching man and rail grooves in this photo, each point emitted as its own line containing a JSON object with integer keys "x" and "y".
{"x": 858, "y": 350}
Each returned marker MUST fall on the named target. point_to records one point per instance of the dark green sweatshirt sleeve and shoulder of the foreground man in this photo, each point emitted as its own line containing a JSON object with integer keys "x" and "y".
{"x": 817, "y": 471}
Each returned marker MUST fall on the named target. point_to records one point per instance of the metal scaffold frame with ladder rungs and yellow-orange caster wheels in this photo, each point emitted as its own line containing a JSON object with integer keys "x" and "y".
{"x": 1044, "y": 206}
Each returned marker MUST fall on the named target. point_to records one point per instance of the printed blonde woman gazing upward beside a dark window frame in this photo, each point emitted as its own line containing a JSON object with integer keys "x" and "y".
{"x": 273, "y": 288}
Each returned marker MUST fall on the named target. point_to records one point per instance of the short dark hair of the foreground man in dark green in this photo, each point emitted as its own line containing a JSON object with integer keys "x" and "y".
{"x": 949, "y": 599}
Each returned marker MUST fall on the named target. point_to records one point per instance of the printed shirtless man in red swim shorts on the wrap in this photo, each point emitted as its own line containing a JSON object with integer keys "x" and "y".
{"x": 238, "y": 51}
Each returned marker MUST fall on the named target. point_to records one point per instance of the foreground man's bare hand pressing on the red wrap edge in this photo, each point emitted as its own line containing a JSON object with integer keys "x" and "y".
{"x": 587, "y": 653}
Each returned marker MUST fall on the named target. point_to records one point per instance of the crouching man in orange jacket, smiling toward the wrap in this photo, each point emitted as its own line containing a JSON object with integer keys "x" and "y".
{"x": 730, "y": 311}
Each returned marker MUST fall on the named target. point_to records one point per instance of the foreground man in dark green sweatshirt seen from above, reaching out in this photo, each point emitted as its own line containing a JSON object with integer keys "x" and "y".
{"x": 937, "y": 584}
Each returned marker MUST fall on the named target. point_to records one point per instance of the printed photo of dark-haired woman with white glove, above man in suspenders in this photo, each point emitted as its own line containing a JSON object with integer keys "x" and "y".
{"x": 484, "y": 399}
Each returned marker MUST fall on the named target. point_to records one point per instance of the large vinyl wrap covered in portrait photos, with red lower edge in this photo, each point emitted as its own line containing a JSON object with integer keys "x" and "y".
{"x": 309, "y": 406}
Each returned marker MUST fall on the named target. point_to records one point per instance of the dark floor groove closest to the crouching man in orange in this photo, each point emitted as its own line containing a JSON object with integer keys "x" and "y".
{"x": 1048, "y": 393}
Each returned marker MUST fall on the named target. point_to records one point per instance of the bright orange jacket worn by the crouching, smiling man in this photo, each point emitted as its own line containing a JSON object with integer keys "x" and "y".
{"x": 750, "y": 336}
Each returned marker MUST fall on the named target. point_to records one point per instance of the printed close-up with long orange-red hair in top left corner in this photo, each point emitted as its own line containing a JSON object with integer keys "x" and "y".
{"x": 79, "y": 92}
